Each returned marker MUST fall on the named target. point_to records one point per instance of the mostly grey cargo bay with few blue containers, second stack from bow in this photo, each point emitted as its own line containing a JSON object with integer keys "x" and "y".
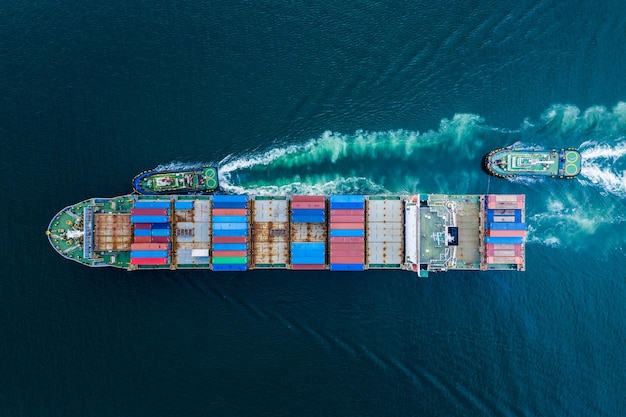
{"x": 193, "y": 233}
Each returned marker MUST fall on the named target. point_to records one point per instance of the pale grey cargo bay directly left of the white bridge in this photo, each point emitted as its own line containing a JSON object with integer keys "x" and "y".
{"x": 385, "y": 232}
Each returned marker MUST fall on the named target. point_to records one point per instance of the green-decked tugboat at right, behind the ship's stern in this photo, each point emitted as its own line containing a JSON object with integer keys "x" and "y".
{"x": 514, "y": 162}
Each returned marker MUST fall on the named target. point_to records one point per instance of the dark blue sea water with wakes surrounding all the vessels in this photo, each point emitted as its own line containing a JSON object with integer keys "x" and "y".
{"x": 327, "y": 96}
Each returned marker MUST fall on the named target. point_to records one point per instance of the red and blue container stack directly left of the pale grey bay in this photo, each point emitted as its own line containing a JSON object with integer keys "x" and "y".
{"x": 347, "y": 232}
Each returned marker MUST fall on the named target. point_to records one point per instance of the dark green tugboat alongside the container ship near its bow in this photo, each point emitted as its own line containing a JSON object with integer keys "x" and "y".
{"x": 197, "y": 180}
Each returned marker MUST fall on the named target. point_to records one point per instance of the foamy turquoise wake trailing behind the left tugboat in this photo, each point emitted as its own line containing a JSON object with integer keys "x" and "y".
{"x": 363, "y": 162}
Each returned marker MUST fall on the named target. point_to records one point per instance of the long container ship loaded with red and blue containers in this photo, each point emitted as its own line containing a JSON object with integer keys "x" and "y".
{"x": 421, "y": 233}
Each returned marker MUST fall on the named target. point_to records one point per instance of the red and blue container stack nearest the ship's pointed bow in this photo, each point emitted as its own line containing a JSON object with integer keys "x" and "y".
{"x": 152, "y": 229}
